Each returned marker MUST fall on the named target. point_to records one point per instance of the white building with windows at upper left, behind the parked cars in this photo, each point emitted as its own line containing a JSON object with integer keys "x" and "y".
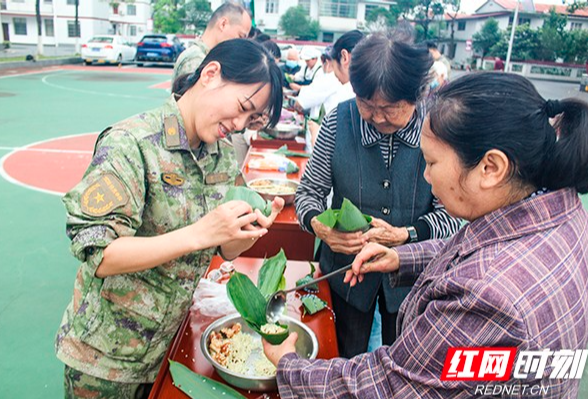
{"x": 96, "y": 17}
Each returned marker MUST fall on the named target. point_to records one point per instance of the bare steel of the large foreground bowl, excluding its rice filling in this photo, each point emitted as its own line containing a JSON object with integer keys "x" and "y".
{"x": 306, "y": 347}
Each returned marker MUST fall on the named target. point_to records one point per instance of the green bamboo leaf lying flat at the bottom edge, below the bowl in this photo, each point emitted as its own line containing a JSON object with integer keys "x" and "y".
{"x": 200, "y": 387}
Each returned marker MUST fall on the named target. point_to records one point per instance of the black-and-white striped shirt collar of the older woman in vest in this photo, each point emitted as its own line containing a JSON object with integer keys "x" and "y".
{"x": 409, "y": 135}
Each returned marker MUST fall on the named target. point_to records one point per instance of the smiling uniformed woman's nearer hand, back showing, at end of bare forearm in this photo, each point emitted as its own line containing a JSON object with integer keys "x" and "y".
{"x": 228, "y": 222}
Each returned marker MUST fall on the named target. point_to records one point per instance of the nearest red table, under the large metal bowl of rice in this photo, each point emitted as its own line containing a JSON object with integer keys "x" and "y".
{"x": 185, "y": 348}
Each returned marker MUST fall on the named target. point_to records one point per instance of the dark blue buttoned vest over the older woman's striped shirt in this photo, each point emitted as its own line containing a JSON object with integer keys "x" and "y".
{"x": 399, "y": 196}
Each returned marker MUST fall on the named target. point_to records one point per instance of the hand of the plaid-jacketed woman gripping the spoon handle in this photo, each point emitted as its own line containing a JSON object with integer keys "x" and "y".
{"x": 373, "y": 258}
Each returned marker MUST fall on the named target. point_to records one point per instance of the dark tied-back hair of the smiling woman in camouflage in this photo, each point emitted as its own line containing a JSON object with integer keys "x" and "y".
{"x": 242, "y": 61}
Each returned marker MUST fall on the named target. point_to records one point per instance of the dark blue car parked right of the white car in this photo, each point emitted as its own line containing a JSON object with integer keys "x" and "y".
{"x": 157, "y": 48}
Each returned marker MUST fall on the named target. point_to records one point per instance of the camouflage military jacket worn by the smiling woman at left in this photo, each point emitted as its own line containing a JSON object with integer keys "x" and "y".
{"x": 144, "y": 180}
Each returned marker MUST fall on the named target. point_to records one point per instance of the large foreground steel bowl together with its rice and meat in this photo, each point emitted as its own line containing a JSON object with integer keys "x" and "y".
{"x": 236, "y": 351}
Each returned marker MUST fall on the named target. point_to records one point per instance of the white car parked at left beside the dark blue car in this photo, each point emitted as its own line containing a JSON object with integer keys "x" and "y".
{"x": 108, "y": 49}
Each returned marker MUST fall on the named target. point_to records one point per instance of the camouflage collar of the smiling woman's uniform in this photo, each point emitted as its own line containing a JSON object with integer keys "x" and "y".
{"x": 174, "y": 131}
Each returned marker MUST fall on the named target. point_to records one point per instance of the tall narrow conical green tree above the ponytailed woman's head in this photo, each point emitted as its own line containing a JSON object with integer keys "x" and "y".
{"x": 553, "y": 36}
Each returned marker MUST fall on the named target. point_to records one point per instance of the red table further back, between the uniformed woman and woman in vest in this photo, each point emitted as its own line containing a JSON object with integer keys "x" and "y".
{"x": 285, "y": 232}
